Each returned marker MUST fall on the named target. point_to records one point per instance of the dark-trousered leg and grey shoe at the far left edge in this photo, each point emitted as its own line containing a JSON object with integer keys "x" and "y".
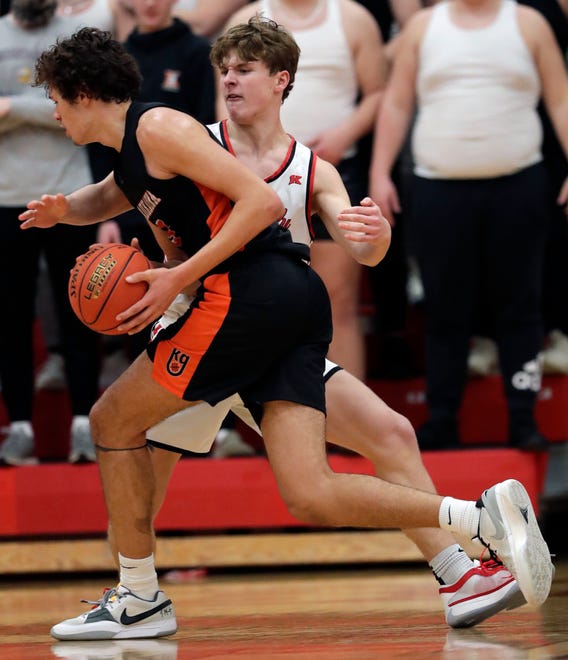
{"x": 19, "y": 265}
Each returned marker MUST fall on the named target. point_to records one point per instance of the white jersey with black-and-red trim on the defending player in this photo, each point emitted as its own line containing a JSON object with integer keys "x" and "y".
{"x": 292, "y": 181}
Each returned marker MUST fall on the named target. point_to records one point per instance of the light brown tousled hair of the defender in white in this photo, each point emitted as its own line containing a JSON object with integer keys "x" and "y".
{"x": 260, "y": 40}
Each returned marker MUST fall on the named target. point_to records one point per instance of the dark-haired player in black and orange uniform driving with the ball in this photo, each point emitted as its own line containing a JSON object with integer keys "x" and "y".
{"x": 203, "y": 202}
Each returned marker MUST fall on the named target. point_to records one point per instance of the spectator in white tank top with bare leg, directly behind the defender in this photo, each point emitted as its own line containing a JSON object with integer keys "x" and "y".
{"x": 338, "y": 85}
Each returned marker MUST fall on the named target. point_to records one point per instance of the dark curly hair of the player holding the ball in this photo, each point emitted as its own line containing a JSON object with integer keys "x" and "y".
{"x": 89, "y": 62}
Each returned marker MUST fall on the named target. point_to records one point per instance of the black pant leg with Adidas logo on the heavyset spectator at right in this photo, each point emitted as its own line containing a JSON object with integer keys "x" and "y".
{"x": 516, "y": 231}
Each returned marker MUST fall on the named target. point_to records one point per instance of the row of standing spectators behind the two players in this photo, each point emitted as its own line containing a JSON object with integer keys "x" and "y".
{"x": 491, "y": 294}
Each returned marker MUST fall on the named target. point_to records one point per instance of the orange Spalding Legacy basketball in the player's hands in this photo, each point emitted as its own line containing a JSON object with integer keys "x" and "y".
{"x": 97, "y": 287}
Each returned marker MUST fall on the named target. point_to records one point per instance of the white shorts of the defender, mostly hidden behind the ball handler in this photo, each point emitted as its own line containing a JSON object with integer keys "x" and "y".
{"x": 195, "y": 429}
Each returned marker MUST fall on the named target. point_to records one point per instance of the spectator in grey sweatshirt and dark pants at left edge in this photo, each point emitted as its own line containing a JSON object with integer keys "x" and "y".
{"x": 34, "y": 148}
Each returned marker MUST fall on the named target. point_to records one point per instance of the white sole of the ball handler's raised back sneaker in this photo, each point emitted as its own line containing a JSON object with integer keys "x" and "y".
{"x": 528, "y": 556}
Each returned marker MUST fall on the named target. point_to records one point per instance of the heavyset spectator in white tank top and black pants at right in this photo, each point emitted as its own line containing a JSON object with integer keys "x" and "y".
{"x": 480, "y": 211}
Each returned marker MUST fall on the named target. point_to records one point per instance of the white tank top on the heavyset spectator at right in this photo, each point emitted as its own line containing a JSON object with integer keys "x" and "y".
{"x": 477, "y": 93}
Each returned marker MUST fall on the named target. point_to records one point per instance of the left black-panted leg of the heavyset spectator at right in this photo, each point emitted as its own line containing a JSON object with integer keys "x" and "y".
{"x": 446, "y": 243}
